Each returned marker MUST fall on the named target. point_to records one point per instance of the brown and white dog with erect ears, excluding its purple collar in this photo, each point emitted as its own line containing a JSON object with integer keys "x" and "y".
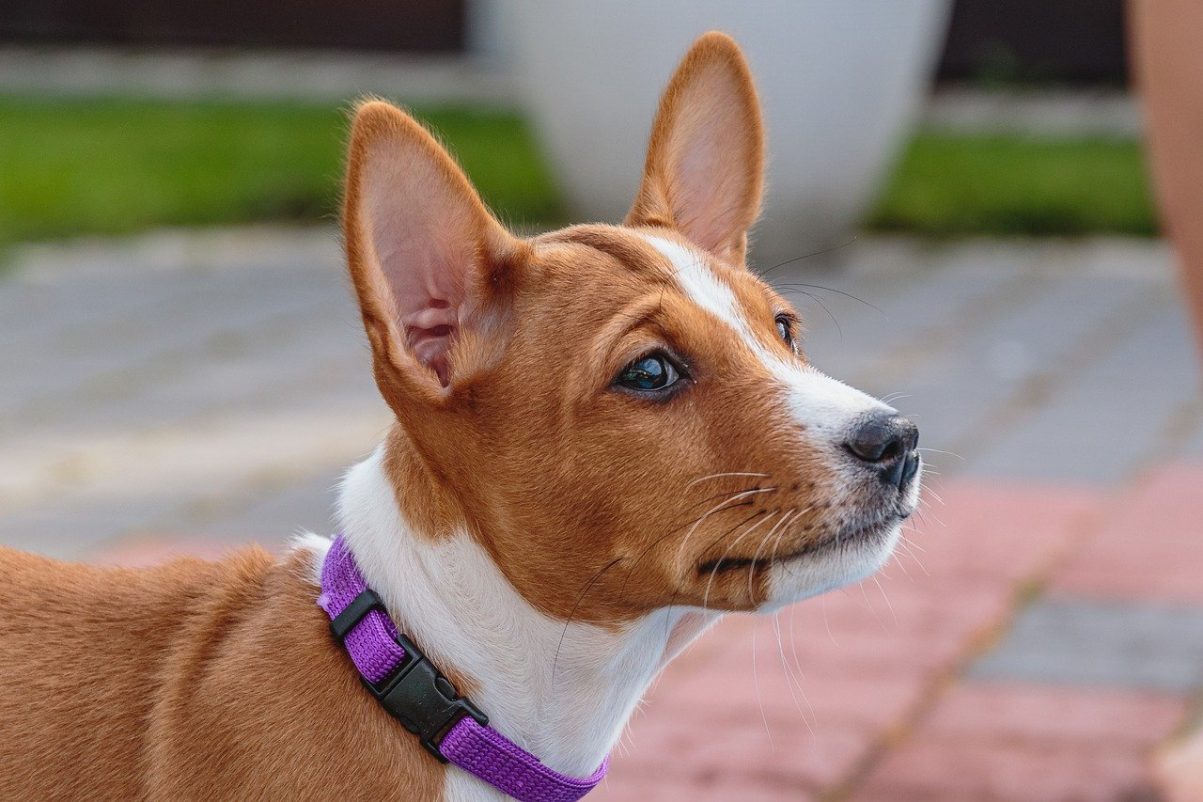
{"x": 605, "y": 437}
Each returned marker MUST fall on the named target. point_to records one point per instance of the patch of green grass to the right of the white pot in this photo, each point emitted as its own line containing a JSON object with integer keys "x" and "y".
{"x": 958, "y": 185}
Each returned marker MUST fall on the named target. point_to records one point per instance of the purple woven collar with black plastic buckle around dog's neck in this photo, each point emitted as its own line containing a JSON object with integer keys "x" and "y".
{"x": 414, "y": 692}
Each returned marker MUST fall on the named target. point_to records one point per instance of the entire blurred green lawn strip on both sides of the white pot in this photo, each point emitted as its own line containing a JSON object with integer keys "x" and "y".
{"x": 110, "y": 167}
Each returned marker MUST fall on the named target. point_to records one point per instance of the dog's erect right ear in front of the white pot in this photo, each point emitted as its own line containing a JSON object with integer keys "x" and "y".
{"x": 706, "y": 163}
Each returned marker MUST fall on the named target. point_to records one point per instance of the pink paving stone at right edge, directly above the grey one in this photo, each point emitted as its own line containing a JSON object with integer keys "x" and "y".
{"x": 1149, "y": 545}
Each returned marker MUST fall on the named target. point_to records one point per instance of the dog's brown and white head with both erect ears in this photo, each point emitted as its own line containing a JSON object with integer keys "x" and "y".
{"x": 621, "y": 415}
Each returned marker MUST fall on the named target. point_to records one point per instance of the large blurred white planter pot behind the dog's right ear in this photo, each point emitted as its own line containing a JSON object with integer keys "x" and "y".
{"x": 840, "y": 82}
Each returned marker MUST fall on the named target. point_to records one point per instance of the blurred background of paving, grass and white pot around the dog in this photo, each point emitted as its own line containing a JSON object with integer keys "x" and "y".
{"x": 959, "y": 204}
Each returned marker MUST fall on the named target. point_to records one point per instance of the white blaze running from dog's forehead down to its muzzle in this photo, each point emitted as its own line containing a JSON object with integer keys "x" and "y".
{"x": 819, "y": 402}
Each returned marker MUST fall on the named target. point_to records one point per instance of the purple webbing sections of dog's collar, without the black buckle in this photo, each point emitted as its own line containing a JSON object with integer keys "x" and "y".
{"x": 471, "y": 746}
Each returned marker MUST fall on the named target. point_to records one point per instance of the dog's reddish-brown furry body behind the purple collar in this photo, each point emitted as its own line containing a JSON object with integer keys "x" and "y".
{"x": 192, "y": 680}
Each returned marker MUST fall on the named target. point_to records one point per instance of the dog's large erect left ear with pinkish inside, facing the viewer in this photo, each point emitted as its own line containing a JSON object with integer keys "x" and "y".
{"x": 426, "y": 257}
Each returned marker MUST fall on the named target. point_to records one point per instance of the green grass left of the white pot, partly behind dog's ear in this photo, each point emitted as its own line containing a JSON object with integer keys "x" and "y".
{"x": 108, "y": 167}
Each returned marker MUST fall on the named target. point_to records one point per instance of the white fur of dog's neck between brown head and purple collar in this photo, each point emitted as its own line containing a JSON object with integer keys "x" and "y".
{"x": 564, "y": 693}
